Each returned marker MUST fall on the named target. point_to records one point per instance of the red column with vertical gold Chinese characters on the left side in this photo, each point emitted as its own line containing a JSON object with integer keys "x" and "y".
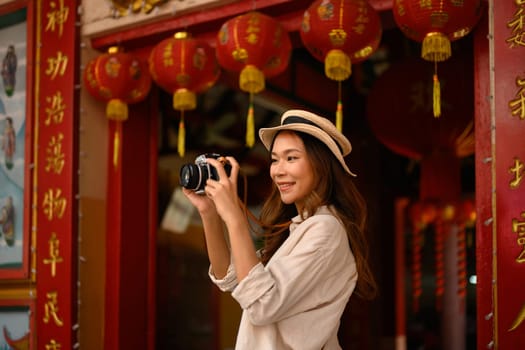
{"x": 55, "y": 179}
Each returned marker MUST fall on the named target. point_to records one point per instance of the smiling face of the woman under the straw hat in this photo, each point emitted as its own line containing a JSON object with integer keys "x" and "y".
{"x": 291, "y": 170}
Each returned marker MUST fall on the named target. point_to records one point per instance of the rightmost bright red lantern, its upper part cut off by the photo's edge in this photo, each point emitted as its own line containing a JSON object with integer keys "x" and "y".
{"x": 436, "y": 23}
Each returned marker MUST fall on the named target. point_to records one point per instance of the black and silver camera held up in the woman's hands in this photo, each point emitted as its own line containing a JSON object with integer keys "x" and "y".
{"x": 194, "y": 176}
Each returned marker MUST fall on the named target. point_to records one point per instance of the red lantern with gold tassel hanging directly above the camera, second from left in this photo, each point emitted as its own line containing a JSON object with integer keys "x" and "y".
{"x": 183, "y": 66}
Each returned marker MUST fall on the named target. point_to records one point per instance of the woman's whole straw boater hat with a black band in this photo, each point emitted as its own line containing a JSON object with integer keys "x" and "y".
{"x": 310, "y": 123}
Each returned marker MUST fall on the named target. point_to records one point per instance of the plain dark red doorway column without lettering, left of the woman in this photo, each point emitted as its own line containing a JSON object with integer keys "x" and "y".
{"x": 131, "y": 232}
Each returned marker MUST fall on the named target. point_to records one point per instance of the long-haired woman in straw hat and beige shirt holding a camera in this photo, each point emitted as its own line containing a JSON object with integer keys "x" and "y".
{"x": 294, "y": 290}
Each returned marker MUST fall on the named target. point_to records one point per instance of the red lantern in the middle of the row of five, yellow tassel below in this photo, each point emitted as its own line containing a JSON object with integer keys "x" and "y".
{"x": 256, "y": 46}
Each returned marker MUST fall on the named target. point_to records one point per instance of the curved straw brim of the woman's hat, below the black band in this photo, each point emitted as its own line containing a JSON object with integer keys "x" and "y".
{"x": 267, "y": 135}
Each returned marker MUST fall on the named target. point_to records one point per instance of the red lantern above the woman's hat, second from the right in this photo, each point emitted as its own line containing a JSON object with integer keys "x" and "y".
{"x": 340, "y": 33}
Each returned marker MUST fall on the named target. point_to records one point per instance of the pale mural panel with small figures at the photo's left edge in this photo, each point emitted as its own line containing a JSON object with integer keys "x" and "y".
{"x": 13, "y": 165}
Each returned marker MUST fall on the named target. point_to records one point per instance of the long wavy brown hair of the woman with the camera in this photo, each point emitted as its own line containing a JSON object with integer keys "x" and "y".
{"x": 335, "y": 187}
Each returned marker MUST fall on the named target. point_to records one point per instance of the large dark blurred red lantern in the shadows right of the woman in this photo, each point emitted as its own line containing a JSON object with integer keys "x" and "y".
{"x": 399, "y": 109}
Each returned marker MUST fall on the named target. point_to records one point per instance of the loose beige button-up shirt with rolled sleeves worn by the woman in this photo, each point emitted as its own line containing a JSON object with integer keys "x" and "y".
{"x": 296, "y": 300}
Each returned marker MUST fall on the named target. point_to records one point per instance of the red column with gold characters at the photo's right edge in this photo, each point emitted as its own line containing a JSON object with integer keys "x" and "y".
{"x": 500, "y": 183}
